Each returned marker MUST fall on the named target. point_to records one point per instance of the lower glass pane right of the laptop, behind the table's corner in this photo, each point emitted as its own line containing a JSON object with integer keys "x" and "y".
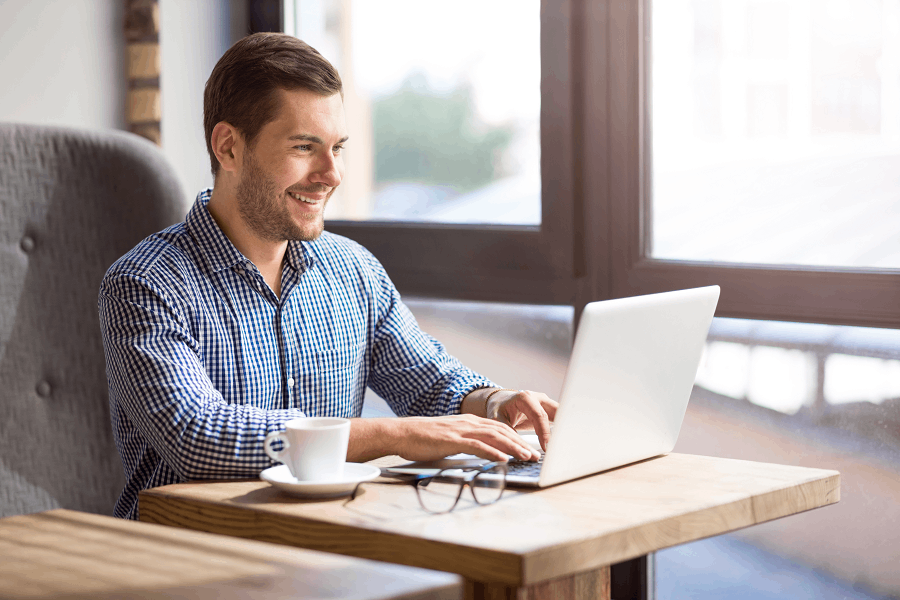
{"x": 811, "y": 395}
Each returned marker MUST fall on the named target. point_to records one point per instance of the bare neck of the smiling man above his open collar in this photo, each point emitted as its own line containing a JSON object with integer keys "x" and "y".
{"x": 268, "y": 256}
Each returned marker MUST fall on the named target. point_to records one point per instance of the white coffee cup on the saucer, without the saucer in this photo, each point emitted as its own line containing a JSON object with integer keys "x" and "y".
{"x": 315, "y": 448}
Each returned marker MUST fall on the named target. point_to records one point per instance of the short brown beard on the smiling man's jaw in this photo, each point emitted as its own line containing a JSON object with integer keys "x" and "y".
{"x": 259, "y": 206}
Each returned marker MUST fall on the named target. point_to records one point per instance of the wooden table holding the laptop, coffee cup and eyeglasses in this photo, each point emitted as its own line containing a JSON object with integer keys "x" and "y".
{"x": 557, "y": 542}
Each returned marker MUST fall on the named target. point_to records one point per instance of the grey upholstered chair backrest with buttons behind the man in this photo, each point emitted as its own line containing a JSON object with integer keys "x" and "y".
{"x": 71, "y": 203}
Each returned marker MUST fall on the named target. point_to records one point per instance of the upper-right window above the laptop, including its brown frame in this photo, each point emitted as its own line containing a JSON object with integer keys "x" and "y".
{"x": 736, "y": 122}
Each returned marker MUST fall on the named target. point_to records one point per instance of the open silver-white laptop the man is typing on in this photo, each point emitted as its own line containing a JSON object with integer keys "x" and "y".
{"x": 626, "y": 388}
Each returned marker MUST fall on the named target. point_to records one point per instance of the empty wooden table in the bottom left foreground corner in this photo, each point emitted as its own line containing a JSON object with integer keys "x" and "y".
{"x": 68, "y": 554}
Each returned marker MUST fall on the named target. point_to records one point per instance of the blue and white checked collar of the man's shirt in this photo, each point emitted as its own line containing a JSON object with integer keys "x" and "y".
{"x": 220, "y": 253}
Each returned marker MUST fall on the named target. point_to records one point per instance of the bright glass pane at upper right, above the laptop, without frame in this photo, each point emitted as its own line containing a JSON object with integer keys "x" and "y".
{"x": 776, "y": 131}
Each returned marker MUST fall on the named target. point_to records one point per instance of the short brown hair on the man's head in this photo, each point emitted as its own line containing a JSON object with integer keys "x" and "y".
{"x": 241, "y": 89}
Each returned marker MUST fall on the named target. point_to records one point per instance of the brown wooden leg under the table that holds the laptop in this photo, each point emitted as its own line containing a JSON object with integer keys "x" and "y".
{"x": 588, "y": 585}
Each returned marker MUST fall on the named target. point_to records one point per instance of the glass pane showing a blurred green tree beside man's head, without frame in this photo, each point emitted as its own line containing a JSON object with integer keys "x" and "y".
{"x": 443, "y": 107}
